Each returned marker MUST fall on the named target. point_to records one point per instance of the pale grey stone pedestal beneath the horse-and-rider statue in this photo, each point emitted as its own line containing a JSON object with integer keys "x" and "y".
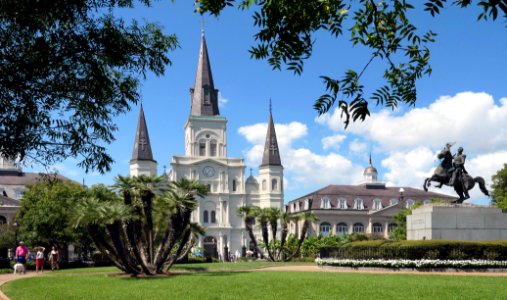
{"x": 457, "y": 222}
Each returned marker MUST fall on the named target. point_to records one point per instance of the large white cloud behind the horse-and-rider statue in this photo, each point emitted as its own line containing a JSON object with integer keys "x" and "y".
{"x": 411, "y": 140}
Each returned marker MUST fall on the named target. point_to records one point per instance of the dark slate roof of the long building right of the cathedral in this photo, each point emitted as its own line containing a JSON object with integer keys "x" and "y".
{"x": 367, "y": 192}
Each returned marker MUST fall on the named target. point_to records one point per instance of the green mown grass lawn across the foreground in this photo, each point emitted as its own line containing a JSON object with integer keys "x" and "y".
{"x": 239, "y": 281}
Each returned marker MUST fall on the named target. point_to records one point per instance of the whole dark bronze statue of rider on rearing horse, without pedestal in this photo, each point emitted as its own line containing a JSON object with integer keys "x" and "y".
{"x": 452, "y": 172}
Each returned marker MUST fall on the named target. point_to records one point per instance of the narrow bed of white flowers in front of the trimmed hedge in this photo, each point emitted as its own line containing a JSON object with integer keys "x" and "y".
{"x": 413, "y": 264}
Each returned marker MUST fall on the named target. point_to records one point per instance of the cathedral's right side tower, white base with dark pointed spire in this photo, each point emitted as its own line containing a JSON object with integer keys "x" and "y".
{"x": 271, "y": 170}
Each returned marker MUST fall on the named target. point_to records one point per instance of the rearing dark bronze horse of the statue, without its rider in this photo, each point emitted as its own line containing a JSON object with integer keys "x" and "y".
{"x": 442, "y": 175}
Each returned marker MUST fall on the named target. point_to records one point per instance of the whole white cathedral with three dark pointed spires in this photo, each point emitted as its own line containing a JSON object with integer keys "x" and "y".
{"x": 206, "y": 160}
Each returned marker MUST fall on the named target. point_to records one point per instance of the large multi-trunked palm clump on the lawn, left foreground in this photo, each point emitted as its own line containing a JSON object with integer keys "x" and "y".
{"x": 124, "y": 230}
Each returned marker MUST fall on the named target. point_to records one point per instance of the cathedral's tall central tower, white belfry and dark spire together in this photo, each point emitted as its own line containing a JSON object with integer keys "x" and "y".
{"x": 205, "y": 130}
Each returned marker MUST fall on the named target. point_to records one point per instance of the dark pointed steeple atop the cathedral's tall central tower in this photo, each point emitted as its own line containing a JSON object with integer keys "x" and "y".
{"x": 204, "y": 95}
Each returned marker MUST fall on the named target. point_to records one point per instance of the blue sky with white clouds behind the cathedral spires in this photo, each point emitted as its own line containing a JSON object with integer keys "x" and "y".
{"x": 463, "y": 101}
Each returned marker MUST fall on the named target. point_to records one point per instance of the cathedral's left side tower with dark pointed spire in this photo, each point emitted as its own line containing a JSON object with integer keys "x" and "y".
{"x": 142, "y": 162}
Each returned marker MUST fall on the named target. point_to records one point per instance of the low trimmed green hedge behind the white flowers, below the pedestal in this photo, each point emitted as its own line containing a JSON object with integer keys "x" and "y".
{"x": 445, "y": 250}
